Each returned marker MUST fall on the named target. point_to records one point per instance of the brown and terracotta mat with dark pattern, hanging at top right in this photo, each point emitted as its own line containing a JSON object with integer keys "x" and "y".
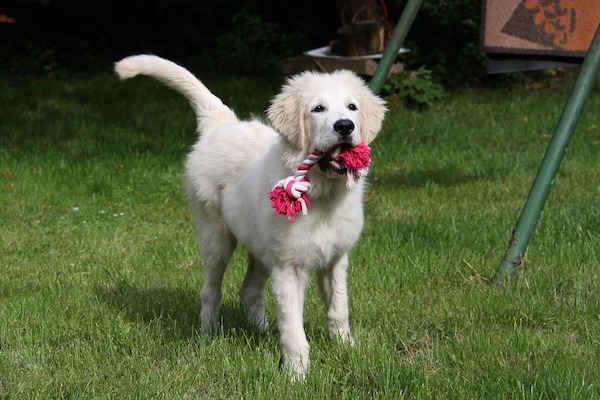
{"x": 563, "y": 28}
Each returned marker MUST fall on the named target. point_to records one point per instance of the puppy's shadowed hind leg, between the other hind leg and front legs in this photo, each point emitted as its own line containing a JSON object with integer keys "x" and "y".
{"x": 252, "y": 293}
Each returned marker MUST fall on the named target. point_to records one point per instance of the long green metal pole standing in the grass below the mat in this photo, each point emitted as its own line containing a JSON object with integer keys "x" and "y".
{"x": 547, "y": 172}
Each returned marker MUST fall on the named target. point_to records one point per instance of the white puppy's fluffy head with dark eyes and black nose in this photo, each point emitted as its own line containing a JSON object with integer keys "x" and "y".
{"x": 322, "y": 111}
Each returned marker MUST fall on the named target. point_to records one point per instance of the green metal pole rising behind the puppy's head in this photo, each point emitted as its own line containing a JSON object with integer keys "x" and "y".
{"x": 396, "y": 41}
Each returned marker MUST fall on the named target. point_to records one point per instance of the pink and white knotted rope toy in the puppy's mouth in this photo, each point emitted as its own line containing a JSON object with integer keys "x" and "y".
{"x": 288, "y": 196}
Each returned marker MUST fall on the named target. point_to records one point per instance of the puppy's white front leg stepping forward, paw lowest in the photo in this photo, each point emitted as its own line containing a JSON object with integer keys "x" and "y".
{"x": 289, "y": 284}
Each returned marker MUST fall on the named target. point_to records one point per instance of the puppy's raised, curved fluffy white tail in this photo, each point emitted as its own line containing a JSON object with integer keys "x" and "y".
{"x": 207, "y": 106}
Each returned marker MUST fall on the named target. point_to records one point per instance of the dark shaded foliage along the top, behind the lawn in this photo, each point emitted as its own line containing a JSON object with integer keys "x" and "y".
{"x": 251, "y": 37}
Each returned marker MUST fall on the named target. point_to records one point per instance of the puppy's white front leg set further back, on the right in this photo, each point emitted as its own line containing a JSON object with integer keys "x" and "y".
{"x": 334, "y": 291}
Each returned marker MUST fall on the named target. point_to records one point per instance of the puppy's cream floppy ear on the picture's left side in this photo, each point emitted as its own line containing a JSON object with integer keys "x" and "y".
{"x": 288, "y": 117}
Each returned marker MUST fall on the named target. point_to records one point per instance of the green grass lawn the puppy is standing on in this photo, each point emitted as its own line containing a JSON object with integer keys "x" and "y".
{"x": 100, "y": 275}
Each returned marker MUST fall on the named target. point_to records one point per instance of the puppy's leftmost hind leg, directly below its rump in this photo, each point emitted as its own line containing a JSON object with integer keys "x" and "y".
{"x": 217, "y": 245}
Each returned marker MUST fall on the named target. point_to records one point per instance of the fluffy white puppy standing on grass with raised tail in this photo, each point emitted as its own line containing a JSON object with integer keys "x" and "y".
{"x": 236, "y": 163}
